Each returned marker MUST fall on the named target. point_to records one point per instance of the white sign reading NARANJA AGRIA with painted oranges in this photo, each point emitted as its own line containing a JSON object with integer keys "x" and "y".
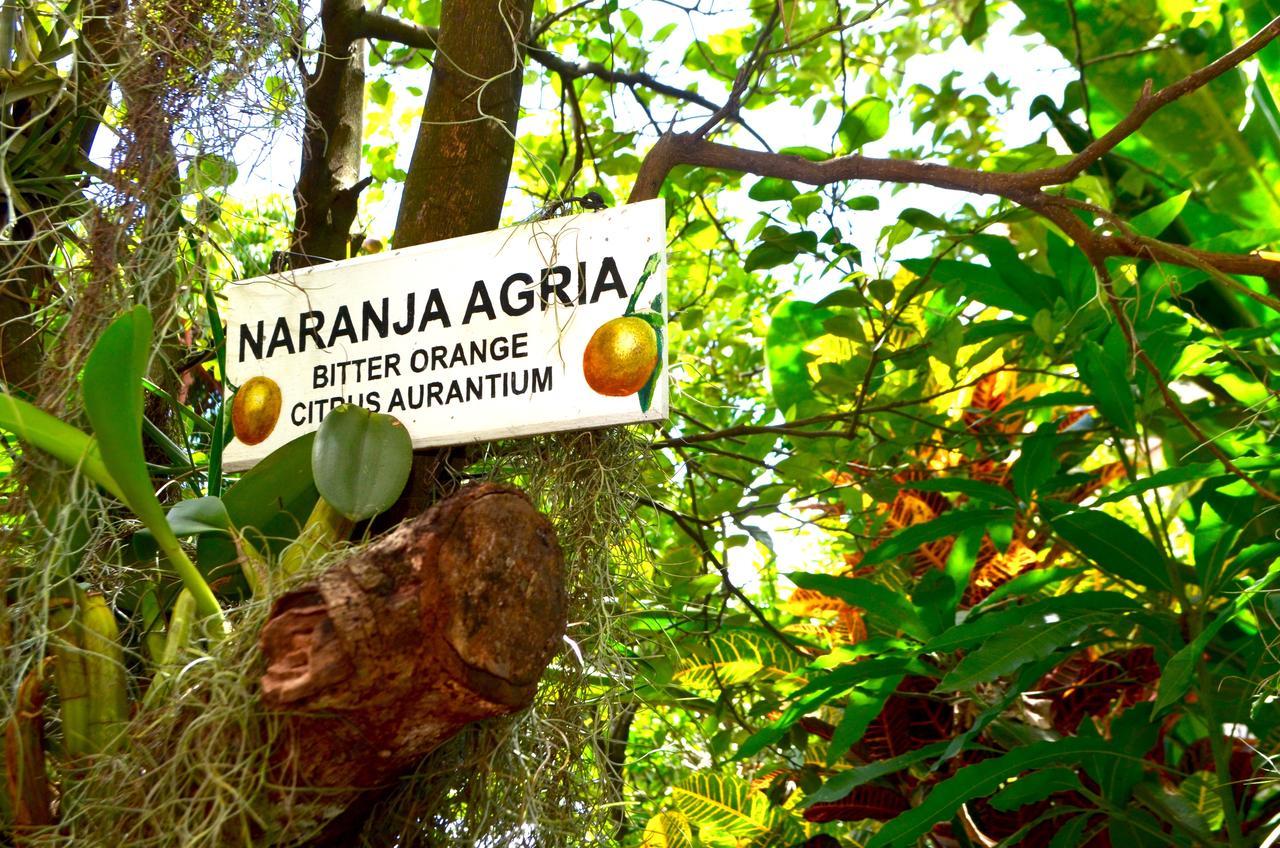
{"x": 467, "y": 340}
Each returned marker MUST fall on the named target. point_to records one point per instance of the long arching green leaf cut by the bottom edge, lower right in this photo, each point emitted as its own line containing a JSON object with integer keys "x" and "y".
{"x": 981, "y": 781}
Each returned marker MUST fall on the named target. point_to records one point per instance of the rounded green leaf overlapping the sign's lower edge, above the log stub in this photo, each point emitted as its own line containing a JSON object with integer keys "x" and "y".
{"x": 362, "y": 461}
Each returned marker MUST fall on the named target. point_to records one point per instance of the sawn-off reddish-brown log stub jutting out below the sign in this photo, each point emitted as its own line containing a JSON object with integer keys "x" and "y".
{"x": 450, "y": 619}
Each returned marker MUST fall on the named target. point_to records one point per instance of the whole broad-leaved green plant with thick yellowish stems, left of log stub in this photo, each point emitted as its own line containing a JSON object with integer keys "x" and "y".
{"x": 292, "y": 509}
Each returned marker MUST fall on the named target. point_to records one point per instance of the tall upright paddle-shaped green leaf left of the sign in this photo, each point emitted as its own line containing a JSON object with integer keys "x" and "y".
{"x": 112, "y": 387}
